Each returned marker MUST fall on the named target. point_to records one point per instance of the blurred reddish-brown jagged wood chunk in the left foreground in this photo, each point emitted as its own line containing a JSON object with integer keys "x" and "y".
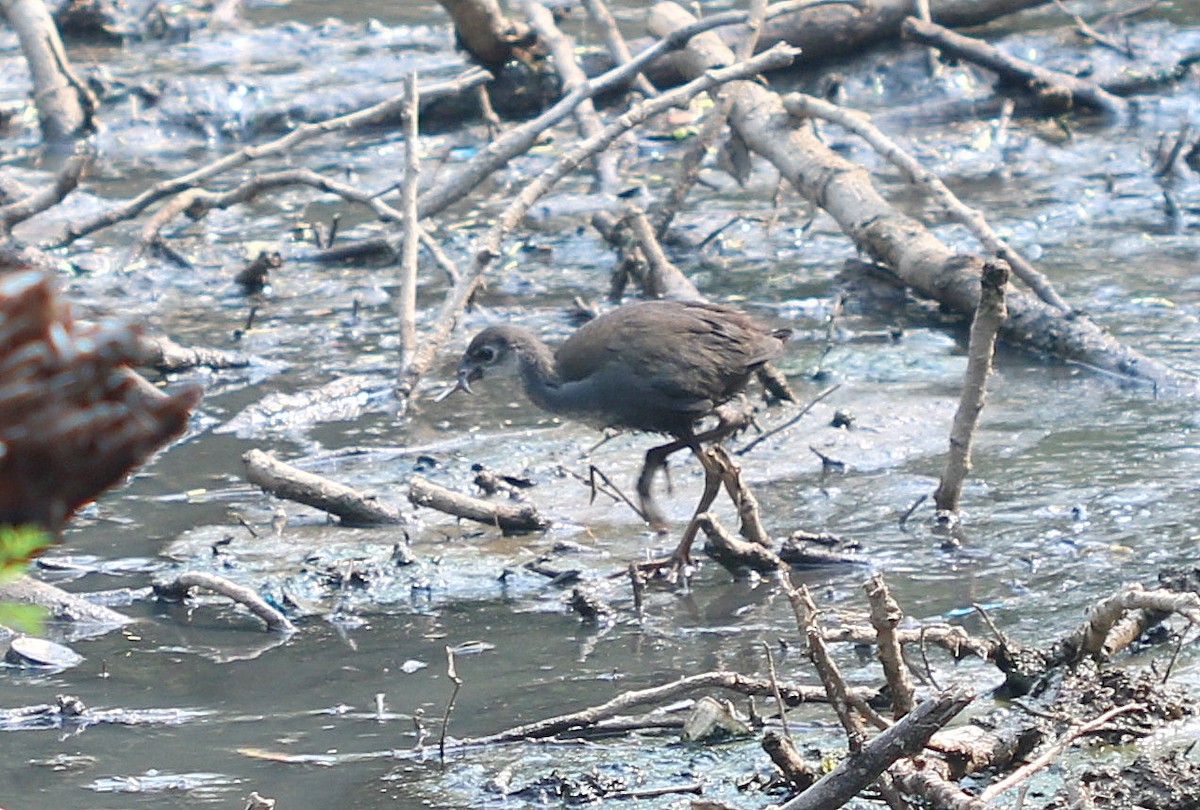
{"x": 74, "y": 417}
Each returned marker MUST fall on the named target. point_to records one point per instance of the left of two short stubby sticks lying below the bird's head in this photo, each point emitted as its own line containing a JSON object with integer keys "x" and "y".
{"x": 352, "y": 507}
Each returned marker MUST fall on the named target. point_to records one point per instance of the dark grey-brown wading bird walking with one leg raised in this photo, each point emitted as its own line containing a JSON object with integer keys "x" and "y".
{"x": 655, "y": 367}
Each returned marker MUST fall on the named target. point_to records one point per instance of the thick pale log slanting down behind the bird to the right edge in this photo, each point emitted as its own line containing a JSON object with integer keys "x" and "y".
{"x": 896, "y": 241}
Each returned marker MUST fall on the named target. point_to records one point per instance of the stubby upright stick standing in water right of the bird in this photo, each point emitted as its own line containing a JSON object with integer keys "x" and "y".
{"x": 988, "y": 320}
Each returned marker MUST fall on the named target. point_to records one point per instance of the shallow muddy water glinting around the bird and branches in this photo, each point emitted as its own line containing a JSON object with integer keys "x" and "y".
{"x": 1082, "y": 483}
